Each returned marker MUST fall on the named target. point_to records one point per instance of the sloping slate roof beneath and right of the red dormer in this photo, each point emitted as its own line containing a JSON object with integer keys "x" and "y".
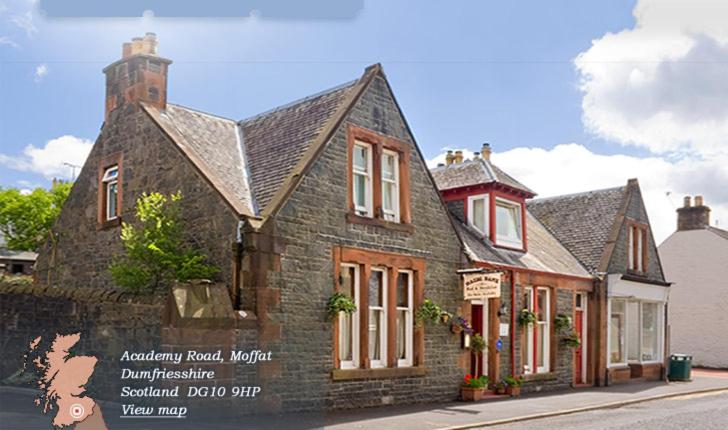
{"x": 545, "y": 253}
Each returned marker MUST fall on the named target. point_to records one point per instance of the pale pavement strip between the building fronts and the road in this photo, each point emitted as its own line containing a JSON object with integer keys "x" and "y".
{"x": 528, "y": 407}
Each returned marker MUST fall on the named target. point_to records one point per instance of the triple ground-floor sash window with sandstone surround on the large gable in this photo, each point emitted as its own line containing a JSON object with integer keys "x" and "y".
{"x": 380, "y": 339}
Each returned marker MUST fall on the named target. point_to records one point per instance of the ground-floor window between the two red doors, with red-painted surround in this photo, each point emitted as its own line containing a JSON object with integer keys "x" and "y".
{"x": 538, "y": 336}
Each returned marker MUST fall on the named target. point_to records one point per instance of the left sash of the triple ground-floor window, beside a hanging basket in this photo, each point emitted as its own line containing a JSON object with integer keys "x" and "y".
{"x": 349, "y": 324}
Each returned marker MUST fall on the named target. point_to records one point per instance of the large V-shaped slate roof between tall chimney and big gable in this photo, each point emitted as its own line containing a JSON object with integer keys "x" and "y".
{"x": 248, "y": 161}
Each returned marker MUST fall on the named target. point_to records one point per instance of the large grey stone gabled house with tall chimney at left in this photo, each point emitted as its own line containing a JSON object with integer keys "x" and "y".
{"x": 328, "y": 193}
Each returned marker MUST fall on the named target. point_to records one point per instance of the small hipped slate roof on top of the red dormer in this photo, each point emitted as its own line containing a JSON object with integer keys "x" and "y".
{"x": 473, "y": 172}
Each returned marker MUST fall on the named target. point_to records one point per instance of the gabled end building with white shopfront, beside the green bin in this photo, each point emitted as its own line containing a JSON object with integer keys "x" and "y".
{"x": 609, "y": 232}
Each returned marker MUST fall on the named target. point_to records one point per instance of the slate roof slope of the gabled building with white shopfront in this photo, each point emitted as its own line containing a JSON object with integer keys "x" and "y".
{"x": 581, "y": 222}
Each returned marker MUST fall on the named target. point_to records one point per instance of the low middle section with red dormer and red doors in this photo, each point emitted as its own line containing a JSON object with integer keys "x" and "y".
{"x": 539, "y": 274}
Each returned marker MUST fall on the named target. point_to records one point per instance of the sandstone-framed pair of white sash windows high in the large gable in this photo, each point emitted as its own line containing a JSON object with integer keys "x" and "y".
{"x": 378, "y": 179}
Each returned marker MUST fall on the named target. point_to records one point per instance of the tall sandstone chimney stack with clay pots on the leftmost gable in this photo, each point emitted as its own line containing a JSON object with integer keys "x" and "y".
{"x": 140, "y": 75}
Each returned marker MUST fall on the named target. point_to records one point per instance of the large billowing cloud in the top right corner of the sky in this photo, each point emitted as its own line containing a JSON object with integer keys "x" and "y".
{"x": 662, "y": 84}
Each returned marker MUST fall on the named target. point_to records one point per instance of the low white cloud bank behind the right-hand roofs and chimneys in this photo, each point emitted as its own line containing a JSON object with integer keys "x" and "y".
{"x": 571, "y": 168}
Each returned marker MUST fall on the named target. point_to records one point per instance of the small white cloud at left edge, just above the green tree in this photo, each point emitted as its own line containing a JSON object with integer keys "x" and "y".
{"x": 50, "y": 160}
